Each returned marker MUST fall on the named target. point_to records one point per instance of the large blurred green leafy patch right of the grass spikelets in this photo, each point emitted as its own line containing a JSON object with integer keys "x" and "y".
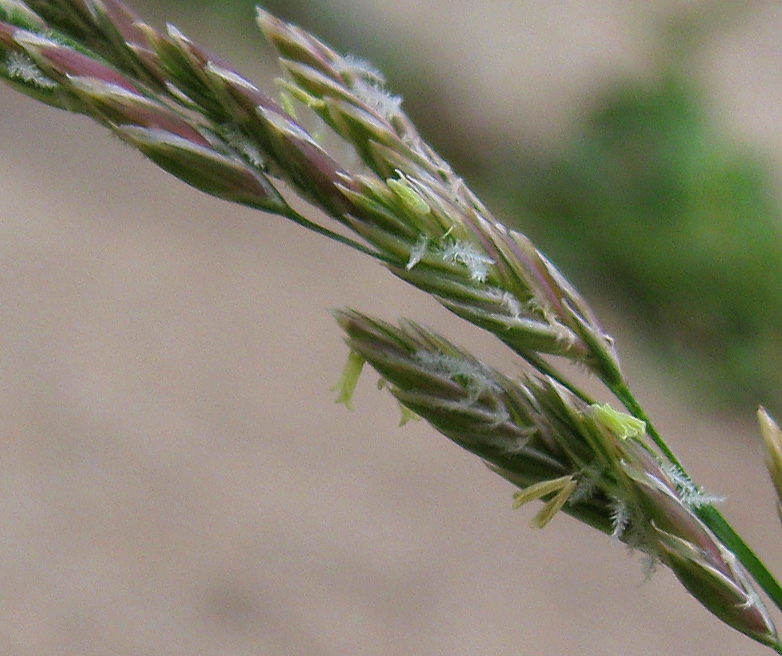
{"x": 651, "y": 203}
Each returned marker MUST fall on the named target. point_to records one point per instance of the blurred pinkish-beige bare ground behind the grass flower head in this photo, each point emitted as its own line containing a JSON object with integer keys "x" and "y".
{"x": 174, "y": 475}
